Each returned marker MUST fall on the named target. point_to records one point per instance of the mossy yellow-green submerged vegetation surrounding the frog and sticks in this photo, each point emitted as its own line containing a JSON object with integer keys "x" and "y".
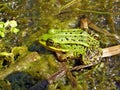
{"x": 19, "y": 56}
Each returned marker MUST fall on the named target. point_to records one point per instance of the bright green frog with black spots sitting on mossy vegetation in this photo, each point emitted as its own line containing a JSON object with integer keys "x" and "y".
{"x": 71, "y": 44}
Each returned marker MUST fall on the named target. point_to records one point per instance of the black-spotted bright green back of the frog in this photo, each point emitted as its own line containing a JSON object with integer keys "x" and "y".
{"x": 76, "y": 37}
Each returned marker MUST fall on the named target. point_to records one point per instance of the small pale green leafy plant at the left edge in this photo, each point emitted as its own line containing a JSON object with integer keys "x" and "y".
{"x": 7, "y": 27}
